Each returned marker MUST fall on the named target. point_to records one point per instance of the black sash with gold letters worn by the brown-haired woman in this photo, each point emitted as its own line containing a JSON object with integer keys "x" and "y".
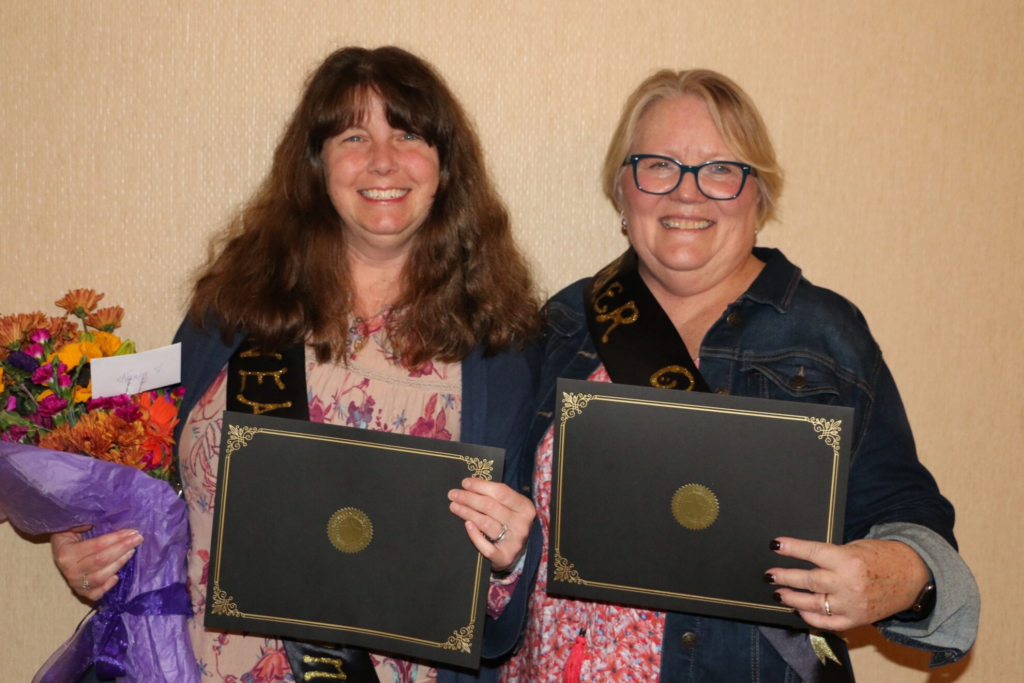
{"x": 275, "y": 383}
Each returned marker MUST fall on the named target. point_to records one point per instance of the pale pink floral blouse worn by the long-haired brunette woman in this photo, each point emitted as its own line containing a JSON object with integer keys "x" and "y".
{"x": 373, "y": 393}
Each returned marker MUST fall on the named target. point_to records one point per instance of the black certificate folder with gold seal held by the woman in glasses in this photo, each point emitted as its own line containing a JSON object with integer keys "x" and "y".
{"x": 669, "y": 500}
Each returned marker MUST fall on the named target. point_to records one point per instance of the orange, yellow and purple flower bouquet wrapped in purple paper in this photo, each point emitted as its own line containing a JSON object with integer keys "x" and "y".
{"x": 69, "y": 459}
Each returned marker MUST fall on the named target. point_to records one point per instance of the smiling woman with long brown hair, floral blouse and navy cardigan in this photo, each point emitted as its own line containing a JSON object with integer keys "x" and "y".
{"x": 378, "y": 261}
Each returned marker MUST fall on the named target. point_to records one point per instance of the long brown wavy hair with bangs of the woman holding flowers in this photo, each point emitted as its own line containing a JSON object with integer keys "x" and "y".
{"x": 279, "y": 270}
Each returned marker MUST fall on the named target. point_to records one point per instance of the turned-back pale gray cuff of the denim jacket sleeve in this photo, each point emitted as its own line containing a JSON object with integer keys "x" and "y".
{"x": 952, "y": 628}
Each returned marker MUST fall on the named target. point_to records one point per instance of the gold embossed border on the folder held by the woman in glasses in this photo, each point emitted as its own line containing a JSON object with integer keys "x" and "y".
{"x": 828, "y": 431}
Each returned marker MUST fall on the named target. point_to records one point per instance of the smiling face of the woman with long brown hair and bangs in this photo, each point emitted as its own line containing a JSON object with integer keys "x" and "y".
{"x": 381, "y": 182}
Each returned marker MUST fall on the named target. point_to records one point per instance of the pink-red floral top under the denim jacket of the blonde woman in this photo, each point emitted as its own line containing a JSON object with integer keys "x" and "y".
{"x": 622, "y": 644}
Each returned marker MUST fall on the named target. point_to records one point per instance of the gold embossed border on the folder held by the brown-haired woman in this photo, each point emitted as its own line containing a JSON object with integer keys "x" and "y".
{"x": 240, "y": 437}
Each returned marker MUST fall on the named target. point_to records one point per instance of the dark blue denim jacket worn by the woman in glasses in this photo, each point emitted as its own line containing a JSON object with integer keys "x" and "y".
{"x": 784, "y": 328}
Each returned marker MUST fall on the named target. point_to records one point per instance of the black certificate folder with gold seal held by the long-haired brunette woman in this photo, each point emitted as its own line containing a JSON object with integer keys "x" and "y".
{"x": 345, "y": 536}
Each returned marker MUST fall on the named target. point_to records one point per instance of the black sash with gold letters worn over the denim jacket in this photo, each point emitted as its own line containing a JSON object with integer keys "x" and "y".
{"x": 639, "y": 346}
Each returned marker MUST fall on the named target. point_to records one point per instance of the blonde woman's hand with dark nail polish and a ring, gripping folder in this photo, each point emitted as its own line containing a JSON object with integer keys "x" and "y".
{"x": 864, "y": 581}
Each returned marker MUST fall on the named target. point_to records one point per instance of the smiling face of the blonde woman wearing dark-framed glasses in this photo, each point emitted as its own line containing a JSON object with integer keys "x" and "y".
{"x": 688, "y": 243}
